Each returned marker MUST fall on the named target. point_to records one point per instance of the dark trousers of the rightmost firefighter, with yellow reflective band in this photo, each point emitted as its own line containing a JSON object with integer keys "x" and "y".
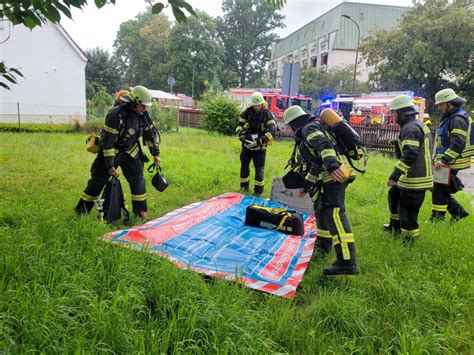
{"x": 443, "y": 200}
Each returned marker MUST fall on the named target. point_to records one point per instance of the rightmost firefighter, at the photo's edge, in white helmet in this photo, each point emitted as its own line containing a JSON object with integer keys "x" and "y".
{"x": 450, "y": 152}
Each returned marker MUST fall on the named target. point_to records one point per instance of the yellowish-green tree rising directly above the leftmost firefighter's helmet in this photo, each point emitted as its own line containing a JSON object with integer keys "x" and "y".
{"x": 142, "y": 46}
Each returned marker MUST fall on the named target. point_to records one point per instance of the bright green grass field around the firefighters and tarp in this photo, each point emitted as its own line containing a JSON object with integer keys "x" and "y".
{"x": 64, "y": 290}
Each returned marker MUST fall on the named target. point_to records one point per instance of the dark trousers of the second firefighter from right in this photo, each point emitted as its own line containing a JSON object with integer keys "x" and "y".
{"x": 404, "y": 206}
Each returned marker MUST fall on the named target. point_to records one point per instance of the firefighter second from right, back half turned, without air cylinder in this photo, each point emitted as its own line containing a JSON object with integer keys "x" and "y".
{"x": 412, "y": 174}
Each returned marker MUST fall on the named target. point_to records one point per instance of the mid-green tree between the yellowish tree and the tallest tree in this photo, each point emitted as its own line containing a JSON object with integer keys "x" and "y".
{"x": 196, "y": 44}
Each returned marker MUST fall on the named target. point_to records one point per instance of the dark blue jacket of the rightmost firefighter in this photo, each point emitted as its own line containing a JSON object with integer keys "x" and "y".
{"x": 452, "y": 138}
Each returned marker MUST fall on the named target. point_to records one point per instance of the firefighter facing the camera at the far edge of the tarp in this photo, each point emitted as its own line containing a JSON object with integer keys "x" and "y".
{"x": 256, "y": 129}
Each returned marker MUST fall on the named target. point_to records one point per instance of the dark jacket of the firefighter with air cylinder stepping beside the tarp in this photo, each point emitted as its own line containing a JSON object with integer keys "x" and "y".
{"x": 318, "y": 149}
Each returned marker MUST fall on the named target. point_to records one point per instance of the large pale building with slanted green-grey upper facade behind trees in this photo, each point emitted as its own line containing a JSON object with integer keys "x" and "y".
{"x": 331, "y": 40}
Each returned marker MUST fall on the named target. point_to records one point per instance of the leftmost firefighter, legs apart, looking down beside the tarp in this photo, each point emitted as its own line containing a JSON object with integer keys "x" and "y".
{"x": 120, "y": 146}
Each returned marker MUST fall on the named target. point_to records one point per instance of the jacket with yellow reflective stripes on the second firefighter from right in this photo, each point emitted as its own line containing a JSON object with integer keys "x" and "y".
{"x": 413, "y": 170}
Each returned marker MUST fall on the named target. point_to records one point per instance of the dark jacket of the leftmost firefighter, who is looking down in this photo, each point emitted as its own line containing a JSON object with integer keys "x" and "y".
{"x": 122, "y": 129}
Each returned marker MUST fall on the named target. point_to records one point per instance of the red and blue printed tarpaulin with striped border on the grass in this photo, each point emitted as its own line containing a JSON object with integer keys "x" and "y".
{"x": 210, "y": 237}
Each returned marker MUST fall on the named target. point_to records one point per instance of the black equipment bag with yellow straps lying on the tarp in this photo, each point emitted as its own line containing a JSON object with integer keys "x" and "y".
{"x": 280, "y": 219}
